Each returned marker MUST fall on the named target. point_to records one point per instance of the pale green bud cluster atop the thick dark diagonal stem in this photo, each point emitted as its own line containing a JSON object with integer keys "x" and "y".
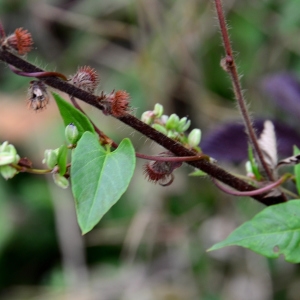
{"x": 172, "y": 126}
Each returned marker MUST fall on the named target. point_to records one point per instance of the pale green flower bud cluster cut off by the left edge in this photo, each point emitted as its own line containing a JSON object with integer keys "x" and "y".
{"x": 8, "y": 155}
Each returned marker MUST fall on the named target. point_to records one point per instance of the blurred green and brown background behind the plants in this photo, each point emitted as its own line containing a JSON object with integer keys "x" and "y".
{"x": 151, "y": 244}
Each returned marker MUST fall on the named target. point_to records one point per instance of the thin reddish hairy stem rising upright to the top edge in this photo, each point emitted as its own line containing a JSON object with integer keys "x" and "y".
{"x": 230, "y": 66}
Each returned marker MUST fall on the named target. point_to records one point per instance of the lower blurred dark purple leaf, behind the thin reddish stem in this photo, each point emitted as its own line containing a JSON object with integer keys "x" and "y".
{"x": 229, "y": 142}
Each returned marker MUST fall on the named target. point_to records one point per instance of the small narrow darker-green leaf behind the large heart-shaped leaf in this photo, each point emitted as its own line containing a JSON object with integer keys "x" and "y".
{"x": 70, "y": 114}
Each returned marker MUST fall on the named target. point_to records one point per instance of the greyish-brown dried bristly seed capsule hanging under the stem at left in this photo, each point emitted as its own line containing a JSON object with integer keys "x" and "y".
{"x": 38, "y": 97}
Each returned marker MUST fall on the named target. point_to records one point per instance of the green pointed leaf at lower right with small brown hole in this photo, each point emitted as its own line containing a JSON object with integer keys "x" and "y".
{"x": 273, "y": 231}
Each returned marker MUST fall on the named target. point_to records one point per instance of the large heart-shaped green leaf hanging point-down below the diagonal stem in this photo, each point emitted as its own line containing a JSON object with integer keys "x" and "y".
{"x": 99, "y": 178}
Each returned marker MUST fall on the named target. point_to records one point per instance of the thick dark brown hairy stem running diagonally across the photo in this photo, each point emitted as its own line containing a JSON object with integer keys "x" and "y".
{"x": 171, "y": 145}
